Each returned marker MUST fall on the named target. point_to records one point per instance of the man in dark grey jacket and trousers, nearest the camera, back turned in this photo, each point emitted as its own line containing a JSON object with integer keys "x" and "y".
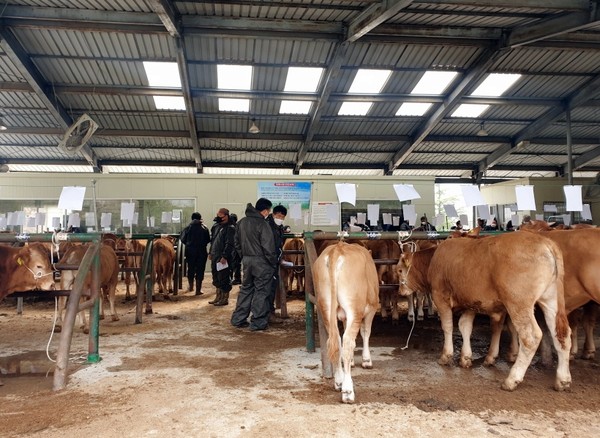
{"x": 254, "y": 241}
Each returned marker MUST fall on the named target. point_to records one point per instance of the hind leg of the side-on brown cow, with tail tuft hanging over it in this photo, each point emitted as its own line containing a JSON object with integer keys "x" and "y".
{"x": 558, "y": 325}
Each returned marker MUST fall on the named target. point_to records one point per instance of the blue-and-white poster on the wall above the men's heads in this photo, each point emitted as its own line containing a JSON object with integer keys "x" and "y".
{"x": 295, "y": 196}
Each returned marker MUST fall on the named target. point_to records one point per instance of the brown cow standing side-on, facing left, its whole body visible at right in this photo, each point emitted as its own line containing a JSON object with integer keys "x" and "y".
{"x": 520, "y": 271}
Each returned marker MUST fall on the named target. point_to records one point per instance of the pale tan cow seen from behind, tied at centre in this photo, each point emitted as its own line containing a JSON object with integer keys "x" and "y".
{"x": 347, "y": 289}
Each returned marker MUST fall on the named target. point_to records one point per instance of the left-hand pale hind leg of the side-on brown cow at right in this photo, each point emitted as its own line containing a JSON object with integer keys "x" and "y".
{"x": 530, "y": 336}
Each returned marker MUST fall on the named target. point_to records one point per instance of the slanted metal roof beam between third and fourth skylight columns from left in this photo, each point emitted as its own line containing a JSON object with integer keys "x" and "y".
{"x": 327, "y": 87}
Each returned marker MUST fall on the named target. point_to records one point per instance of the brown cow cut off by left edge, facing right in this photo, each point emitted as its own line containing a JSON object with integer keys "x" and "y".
{"x": 25, "y": 268}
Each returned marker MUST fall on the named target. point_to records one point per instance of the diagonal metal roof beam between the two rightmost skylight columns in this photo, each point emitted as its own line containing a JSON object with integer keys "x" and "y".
{"x": 480, "y": 67}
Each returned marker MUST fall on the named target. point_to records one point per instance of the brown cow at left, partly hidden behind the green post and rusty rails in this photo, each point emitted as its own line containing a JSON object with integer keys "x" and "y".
{"x": 109, "y": 276}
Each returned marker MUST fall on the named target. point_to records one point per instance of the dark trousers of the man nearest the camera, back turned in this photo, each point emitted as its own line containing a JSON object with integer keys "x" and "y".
{"x": 254, "y": 293}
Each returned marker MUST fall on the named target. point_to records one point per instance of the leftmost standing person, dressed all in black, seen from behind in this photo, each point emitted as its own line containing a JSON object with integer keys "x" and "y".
{"x": 195, "y": 237}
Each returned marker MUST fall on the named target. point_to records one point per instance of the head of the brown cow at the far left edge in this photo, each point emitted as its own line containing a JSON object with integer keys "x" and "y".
{"x": 34, "y": 267}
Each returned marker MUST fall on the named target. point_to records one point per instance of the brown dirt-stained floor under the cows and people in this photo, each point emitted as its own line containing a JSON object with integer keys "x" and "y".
{"x": 186, "y": 372}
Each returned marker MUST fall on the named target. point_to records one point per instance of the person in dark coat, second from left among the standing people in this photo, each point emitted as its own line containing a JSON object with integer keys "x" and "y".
{"x": 221, "y": 255}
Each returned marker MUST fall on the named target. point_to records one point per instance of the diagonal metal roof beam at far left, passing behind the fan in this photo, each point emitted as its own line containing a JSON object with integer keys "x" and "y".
{"x": 16, "y": 53}
